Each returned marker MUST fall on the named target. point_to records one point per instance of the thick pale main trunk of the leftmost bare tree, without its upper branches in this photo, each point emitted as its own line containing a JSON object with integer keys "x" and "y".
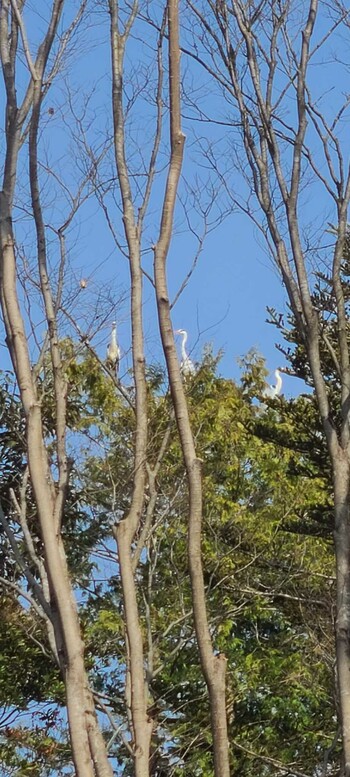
{"x": 66, "y": 624}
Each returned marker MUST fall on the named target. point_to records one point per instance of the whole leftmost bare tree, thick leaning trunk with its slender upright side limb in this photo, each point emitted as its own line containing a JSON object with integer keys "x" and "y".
{"x": 55, "y": 594}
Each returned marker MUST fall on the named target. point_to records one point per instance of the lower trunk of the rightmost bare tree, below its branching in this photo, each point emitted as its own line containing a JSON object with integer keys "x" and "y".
{"x": 342, "y": 625}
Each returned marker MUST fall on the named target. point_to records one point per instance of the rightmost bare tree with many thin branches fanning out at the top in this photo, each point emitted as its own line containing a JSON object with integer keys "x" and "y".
{"x": 263, "y": 58}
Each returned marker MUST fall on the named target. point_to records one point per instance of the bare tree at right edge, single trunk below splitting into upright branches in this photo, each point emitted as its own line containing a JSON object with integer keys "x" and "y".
{"x": 278, "y": 180}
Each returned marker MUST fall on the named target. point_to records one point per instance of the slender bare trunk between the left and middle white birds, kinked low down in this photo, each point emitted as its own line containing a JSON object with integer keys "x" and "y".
{"x": 125, "y": 532}
